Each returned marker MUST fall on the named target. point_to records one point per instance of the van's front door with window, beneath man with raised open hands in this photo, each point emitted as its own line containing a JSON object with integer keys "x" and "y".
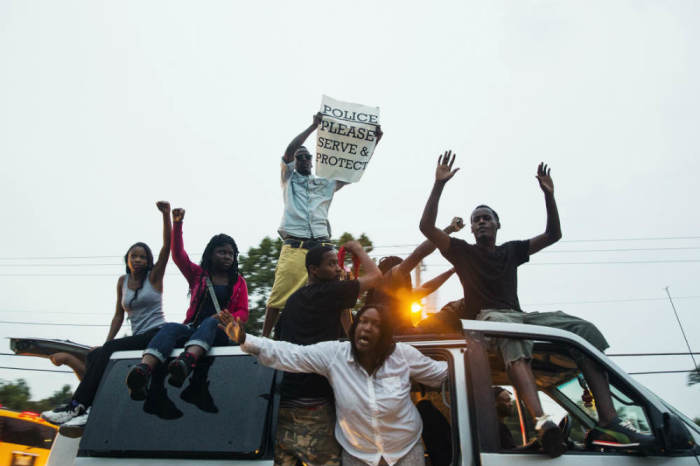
{"x": 507, "y": 435}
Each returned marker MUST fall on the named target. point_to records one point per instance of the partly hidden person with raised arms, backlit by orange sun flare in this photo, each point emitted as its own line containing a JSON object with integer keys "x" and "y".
{"x": 396, "y": 292}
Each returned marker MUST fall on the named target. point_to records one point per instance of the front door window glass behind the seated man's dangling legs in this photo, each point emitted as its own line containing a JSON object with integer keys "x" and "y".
{"x": 563, "y": 393}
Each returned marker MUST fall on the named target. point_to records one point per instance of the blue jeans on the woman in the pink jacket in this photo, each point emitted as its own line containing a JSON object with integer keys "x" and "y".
{"x": 173, "y": 335}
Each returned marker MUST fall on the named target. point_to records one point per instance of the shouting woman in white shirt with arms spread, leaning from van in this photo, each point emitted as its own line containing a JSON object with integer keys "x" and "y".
{"x": 371, "y": 380}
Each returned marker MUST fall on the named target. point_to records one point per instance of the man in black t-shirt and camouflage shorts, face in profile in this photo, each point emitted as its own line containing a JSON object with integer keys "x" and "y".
{"x": 311, "y": 315}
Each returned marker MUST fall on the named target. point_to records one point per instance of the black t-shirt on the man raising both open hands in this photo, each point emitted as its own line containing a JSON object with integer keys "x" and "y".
{"x": 489, "y": 278}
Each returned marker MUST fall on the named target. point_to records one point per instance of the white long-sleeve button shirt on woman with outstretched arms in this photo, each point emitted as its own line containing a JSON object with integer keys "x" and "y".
{"x": 375, "y": 415}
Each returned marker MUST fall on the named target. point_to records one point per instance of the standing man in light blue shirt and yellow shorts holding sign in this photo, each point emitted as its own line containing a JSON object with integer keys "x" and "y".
{"x": 304, "y": 225}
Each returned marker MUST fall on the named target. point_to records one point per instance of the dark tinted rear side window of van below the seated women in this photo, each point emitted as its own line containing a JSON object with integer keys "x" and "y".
{"x": 222, "y": 411}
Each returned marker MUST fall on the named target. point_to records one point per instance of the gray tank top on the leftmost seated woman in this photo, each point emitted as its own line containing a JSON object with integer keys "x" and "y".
{"x": 146, "y": 311}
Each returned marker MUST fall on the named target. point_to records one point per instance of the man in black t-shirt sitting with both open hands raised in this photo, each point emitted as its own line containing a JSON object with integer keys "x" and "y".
{"x": 489, "y": 278}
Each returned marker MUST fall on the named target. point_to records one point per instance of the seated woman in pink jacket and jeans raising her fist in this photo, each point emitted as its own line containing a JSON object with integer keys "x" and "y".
{"x": 217, "y": 277}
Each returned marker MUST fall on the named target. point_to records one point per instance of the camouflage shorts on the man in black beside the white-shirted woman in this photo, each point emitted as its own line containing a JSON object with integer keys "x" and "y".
{"x": 306, "y": 435}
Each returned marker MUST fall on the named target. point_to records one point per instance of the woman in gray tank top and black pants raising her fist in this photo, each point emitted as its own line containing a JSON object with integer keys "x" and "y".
{"x": 140, "y": 296}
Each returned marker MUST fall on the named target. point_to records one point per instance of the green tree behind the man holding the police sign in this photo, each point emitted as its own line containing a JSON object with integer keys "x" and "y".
{"x": 258, "y": 267}
